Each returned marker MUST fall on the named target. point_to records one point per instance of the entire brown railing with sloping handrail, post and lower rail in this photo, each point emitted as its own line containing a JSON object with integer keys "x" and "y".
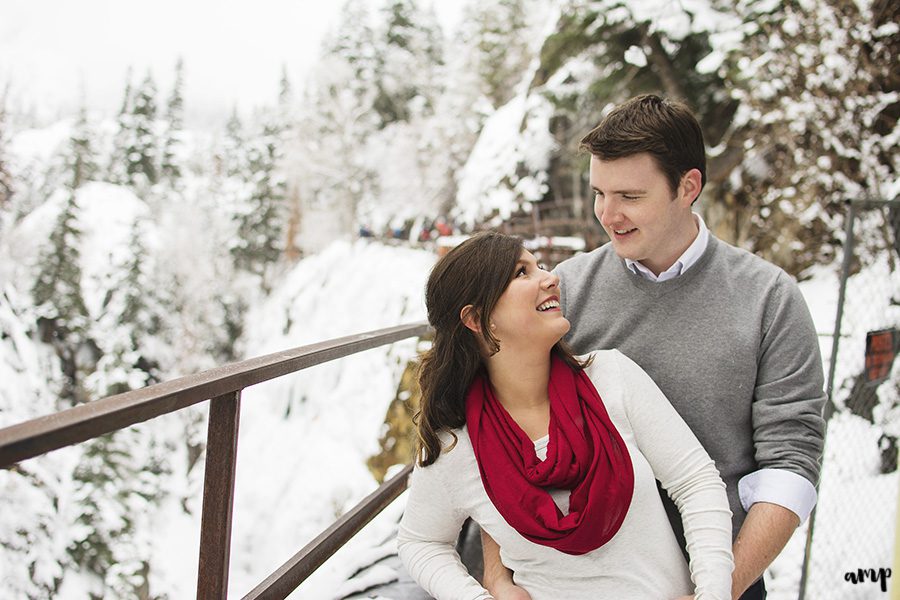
{"x": 223, "y": 387}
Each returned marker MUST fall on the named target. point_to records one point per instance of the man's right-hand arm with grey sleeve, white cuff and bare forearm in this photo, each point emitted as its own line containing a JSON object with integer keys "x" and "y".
{"x": 788, "y": 433}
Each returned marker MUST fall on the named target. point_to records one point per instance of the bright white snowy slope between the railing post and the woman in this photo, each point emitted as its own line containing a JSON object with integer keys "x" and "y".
{"x": 305, "y": 437}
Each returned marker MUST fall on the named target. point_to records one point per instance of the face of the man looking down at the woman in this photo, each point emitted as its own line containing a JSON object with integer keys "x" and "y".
{"x": 645, "y": 219}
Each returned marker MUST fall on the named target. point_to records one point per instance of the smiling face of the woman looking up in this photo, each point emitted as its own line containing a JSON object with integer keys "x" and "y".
{"x": 528, "y": 310}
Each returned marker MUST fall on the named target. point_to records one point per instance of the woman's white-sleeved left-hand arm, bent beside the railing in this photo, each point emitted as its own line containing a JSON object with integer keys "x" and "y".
{"x": 427, "y": 539}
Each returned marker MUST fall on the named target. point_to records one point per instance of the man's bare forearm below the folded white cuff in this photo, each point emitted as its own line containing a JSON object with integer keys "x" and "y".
{"x": 765, "y": 531}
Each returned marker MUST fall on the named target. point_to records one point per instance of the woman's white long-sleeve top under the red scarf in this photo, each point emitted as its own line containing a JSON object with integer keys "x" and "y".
{"x": 642, "y": 562}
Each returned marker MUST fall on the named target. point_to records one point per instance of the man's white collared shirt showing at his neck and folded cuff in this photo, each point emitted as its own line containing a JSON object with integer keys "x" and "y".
{"x": 776, "y": 486}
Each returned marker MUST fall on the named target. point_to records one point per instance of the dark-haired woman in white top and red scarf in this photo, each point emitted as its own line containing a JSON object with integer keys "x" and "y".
{"x": 554, "y": 456}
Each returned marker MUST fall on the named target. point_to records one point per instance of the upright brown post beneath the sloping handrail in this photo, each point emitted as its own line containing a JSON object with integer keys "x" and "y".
{"x": 218, "y": 496}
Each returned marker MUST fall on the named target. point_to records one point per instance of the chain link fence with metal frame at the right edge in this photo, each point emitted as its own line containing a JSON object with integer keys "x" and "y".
{"x": 850, "y": 538}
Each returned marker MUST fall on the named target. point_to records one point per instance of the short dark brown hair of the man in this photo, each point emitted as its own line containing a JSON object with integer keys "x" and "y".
{"x": 665, "y": 129}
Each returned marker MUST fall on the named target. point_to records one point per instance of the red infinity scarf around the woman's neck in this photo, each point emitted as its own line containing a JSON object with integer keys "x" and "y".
{"x": 585, "y": 454}
